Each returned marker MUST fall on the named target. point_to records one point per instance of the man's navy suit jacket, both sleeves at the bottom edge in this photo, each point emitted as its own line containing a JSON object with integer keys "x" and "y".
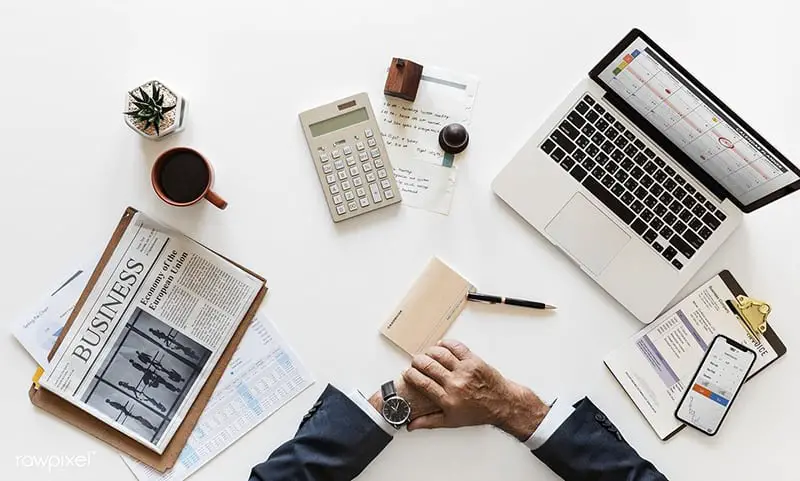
{"x": 337, "y": 440}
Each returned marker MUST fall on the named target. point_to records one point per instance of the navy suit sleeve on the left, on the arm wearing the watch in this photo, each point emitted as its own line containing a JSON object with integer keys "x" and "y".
{"x": 335, "y": 442}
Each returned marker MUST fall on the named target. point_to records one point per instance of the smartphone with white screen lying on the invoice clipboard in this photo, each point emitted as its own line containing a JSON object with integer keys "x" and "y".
{"x": 715, "y": 385}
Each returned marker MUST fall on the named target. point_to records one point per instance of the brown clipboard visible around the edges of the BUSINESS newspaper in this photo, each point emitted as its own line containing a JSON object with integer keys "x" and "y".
{"x": 61, "y": 408}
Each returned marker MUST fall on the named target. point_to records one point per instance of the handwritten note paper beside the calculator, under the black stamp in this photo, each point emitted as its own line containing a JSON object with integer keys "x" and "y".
{"x": 411, "y": 133}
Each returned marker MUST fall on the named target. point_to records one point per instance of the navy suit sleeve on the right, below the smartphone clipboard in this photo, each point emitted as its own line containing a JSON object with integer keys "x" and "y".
{"x": 587, "y": 446}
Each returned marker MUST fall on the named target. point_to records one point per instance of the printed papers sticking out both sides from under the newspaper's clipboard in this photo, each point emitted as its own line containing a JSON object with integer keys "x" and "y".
{"x": 263, "y": 375}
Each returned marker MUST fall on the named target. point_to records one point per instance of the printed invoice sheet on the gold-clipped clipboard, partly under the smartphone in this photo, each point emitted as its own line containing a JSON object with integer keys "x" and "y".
{"x": 656, "y": 365}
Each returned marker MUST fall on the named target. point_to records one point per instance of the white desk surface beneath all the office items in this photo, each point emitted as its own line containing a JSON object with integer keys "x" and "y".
{"x": 70, "y": 166}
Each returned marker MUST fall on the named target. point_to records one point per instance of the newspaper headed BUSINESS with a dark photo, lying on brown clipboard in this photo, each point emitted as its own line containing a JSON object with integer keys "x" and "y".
{"x": 150, "y": 332}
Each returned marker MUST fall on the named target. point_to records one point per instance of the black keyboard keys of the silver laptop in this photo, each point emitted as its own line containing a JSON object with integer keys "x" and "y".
{"x": 616, "y": 166}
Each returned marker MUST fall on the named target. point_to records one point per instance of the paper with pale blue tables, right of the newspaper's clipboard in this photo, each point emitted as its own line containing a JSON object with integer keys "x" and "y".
{"x": 263, "y": 375}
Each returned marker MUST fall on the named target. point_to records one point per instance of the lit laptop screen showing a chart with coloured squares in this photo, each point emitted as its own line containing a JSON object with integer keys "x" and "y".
{"x": 699, "y": 128}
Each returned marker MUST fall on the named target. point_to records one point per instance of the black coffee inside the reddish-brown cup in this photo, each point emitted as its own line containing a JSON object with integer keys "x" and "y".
{"x": 183, "y": 176}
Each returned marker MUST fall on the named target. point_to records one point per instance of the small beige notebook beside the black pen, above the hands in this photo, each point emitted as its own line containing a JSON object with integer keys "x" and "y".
{"x": 430, "y": 307}
